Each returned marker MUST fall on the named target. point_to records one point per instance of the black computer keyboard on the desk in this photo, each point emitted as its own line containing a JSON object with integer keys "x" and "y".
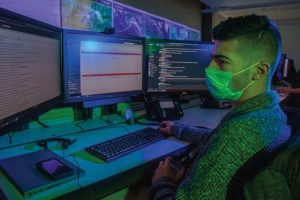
{"x": 121, "y": 146}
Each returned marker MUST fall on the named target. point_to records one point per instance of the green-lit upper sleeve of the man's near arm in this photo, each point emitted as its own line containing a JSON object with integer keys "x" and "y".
{"x": 230, "y": 147}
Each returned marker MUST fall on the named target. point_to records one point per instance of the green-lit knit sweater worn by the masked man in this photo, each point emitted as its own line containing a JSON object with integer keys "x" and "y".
{"x": 257, "y": 124}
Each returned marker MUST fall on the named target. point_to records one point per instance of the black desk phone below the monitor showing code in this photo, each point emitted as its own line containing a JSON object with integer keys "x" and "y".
{"x": 163, "y": 108}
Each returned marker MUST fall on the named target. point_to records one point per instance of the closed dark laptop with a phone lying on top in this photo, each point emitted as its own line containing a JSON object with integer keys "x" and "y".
{"x": 23, "y": 173}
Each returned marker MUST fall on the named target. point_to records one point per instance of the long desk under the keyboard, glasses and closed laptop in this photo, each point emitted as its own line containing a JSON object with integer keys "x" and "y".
{"x": 100, "y": 178}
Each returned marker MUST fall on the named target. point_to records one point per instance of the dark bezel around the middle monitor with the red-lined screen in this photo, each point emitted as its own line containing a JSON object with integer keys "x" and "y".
{"x": 102, "y": 99}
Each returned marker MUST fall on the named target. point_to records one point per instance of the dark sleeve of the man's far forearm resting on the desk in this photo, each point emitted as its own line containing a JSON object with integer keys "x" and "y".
{"x": 192, "y": 135}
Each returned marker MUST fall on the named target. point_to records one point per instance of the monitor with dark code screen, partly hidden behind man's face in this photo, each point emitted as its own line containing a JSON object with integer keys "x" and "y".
{"x": 177, "y": 66}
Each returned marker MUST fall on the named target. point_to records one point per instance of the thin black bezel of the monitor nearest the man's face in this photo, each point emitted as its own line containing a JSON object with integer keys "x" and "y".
{"x": 172, "y": 92}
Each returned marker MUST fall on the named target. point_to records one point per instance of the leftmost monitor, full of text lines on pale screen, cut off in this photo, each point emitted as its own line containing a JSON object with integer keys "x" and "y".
{"x": 30, "y": 64}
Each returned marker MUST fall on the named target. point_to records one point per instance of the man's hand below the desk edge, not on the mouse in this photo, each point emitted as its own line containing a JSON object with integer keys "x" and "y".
{"x": 164, "y": 170}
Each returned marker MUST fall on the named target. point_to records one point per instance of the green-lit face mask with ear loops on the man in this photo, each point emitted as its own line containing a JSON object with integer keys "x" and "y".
{"x": 219, "y": 84}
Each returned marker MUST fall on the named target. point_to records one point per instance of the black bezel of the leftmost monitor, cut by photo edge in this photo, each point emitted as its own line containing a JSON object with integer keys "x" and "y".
{"x": 13, "y": 122}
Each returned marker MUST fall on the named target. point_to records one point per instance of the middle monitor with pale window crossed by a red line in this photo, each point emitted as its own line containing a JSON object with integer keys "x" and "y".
{"x": 101, "y": 69}
